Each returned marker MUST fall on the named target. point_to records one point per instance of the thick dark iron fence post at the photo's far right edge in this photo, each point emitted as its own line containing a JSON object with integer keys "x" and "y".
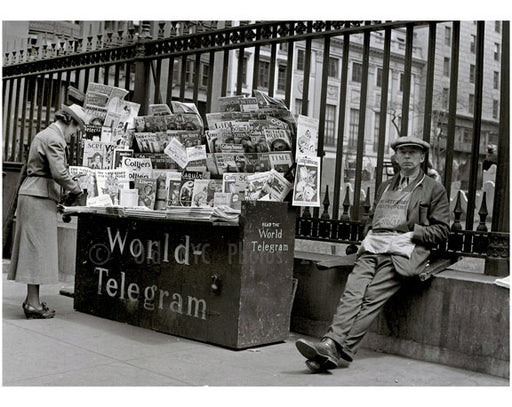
{"x": 500, "y": 217}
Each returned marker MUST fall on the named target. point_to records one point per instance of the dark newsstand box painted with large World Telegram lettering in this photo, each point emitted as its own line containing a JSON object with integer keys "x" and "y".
{"x": 221, "y": 283}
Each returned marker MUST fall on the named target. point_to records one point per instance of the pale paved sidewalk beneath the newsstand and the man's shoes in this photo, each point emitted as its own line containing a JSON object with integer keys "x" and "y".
{"x": 76, "y": 349}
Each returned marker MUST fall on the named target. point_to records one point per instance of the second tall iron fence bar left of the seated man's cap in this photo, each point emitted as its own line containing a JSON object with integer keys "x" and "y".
{"x": 361, "y": 129}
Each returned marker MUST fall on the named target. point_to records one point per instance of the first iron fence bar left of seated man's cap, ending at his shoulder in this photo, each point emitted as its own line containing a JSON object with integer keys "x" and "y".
{"x": 383, "y": 115}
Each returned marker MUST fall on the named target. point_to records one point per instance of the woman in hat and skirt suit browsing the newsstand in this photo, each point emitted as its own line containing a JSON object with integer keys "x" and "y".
{"x": 34, "y": 259}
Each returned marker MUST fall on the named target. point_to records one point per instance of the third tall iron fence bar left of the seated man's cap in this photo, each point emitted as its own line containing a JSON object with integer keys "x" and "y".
{"x": 341, "y": 126}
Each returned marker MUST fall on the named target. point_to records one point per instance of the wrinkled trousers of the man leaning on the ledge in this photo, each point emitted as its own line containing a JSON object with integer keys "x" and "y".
{"x": 370, "y": 284}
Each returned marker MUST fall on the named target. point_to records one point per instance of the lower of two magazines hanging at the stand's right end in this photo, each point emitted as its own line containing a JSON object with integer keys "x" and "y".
{"x": 307, "y": 182}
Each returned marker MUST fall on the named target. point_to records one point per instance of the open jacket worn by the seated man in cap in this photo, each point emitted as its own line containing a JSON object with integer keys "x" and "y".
{"x": 428, "y": 217}
